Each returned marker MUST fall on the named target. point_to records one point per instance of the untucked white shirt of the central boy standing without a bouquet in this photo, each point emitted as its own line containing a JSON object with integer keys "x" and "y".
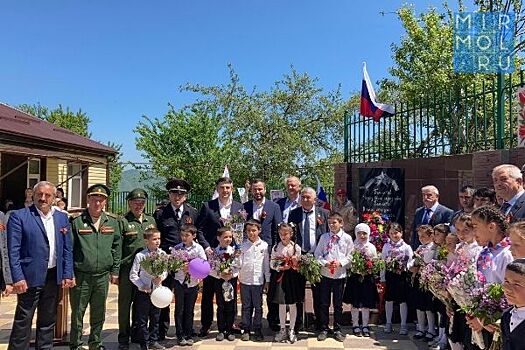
{"x": 255, "y": 265}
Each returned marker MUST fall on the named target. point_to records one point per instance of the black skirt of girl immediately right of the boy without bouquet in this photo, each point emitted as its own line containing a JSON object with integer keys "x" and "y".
{"x": 286, "y": 287}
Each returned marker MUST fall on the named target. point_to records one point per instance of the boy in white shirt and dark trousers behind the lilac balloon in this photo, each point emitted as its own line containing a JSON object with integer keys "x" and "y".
{"x": 186, "y": 287}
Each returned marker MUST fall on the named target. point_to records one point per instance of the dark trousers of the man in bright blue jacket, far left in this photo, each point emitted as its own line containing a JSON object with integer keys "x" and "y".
{"x": 44, "y": 299}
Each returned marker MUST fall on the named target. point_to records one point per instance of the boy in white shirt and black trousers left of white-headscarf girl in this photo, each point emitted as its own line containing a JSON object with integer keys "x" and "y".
{"x": 333, "y": 252}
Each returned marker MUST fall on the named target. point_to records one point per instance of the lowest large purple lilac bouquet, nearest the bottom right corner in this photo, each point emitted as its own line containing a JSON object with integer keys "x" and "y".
{"x": 488, "y": 304}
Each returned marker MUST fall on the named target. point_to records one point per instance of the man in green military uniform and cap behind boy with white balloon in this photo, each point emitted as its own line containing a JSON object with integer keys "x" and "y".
{"x": 134, "y": 223}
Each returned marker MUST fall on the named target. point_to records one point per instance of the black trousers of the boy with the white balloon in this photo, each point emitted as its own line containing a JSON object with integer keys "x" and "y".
{"x": 145, "y": 311}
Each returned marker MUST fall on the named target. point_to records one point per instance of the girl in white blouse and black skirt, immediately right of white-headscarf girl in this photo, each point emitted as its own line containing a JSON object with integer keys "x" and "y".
{"x": 397, "y": 284}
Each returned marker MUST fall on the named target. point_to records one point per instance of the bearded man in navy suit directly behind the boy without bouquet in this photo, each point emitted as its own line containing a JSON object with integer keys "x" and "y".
{"x": 269, "y": 214}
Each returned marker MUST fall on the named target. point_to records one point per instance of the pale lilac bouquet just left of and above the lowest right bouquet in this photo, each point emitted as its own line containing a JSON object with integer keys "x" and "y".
{"x": 463, "y": 288}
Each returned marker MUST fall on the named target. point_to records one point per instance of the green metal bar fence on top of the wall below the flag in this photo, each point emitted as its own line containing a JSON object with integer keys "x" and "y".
{"x": 462, "y": 120}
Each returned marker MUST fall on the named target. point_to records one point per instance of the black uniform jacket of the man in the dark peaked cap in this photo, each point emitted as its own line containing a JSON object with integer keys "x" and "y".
{"x": 169, "y": 226}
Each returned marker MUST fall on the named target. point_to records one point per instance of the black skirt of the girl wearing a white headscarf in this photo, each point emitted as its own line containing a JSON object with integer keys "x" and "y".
{"x": 361, "y": 291}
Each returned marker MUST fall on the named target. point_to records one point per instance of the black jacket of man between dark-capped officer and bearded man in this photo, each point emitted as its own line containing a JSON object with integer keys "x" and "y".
{"x": 209, "y": 220}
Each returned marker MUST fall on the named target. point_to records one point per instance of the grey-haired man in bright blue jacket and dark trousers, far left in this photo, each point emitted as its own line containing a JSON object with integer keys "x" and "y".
{"x": 40, "y": 256}
